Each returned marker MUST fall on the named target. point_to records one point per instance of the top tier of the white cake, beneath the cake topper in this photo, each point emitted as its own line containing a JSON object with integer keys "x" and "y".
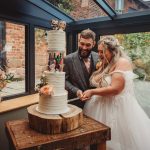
{"x": 56, "y": 40}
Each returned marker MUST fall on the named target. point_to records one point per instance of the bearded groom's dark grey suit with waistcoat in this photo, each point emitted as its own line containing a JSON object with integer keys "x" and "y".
{"x": 77, "y": 76}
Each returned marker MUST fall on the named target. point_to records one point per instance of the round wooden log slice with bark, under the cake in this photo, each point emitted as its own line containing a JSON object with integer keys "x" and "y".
{"x": 52, "y": 124}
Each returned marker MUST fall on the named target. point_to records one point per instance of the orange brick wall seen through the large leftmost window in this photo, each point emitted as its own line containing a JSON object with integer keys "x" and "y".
{"x": 15, "y": 49}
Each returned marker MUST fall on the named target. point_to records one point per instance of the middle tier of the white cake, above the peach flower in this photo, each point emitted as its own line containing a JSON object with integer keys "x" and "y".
{"x": 57, "y": 80}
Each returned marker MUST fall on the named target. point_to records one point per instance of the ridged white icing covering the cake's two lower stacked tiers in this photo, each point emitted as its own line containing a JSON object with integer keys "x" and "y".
{"x": 57, "y": 103}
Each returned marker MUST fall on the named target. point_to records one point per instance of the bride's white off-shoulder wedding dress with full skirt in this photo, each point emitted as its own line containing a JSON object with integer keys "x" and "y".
{"x": 130, "y": 126}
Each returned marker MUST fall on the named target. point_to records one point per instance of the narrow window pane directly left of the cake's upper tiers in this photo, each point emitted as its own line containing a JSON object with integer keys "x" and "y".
{"x": 41, "y": 54}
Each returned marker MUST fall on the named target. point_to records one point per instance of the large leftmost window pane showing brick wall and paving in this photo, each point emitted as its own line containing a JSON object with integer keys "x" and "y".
{"x": 12, "y": 58}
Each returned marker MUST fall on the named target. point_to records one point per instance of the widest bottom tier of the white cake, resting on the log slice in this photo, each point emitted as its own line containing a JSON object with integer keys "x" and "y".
{"x": 55, "y": 104}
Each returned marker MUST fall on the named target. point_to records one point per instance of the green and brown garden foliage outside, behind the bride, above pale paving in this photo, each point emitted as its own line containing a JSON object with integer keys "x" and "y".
{"x": 137, "y": 45}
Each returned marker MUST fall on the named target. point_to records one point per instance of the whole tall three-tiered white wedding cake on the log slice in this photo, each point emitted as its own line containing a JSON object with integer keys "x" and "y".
{"x": 56, "y": 102}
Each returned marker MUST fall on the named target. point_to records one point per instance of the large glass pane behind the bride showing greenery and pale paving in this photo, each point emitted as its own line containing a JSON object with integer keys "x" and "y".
{"x": 137, "y": 46}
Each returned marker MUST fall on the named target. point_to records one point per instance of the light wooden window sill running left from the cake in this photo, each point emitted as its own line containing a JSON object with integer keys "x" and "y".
{"x": 17, "y": 103}
